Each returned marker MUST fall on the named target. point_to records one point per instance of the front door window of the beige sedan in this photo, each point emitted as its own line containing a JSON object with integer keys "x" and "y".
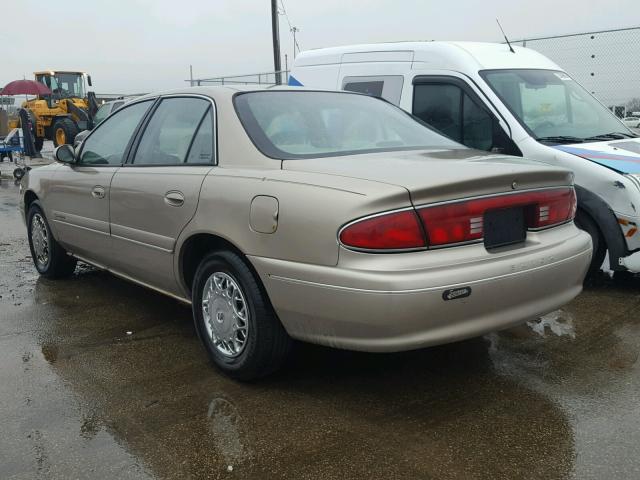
{"x": 108, "y": 142}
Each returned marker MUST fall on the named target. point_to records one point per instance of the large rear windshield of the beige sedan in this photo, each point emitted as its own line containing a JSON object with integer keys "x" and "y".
{"x": 305, "y": 124}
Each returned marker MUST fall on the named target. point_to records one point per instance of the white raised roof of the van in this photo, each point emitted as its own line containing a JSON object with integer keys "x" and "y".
{"x": 437, "y": 54}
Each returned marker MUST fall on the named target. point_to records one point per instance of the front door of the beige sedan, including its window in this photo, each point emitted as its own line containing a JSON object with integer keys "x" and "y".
{"x": 79, "y": 195}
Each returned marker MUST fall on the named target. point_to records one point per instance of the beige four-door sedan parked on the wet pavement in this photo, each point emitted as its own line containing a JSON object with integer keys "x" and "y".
{"x": 328, "y": 217}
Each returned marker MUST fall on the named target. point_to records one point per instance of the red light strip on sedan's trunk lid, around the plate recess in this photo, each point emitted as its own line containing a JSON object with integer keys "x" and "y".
{"x": 463, "y": 221}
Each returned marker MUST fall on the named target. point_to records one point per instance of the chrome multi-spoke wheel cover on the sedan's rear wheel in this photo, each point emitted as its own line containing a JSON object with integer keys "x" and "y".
{"x": 226, "y": 314}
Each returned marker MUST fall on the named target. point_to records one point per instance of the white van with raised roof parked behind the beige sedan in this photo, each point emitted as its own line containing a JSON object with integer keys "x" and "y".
{"x": 517, "y": 102}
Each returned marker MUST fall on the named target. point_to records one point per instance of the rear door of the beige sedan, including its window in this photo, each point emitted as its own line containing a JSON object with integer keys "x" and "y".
{"x": 155, "y": 194}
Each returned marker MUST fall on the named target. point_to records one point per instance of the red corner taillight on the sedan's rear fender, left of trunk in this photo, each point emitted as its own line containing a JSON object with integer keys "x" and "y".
{"x": 392, "y": 231}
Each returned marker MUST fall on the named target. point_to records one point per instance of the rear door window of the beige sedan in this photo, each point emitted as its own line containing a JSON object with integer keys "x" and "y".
{"x": 170, "y": 133}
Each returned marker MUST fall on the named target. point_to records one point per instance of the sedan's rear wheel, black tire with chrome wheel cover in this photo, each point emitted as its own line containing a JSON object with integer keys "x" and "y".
{"x": 235, "y": 320}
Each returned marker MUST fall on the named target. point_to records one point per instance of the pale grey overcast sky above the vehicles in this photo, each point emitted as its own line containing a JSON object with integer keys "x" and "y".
{"x": 144, "y": 45}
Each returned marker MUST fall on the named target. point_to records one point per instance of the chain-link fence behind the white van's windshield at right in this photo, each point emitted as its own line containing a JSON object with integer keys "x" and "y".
{"x": 607, "y": 63}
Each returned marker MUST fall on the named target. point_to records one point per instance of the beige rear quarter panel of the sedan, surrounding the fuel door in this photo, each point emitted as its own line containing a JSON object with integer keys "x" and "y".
{"x": 312, "y": 208}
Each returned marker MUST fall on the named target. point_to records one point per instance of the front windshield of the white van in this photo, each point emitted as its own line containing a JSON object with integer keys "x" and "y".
{"x": 552, "y": 106}
